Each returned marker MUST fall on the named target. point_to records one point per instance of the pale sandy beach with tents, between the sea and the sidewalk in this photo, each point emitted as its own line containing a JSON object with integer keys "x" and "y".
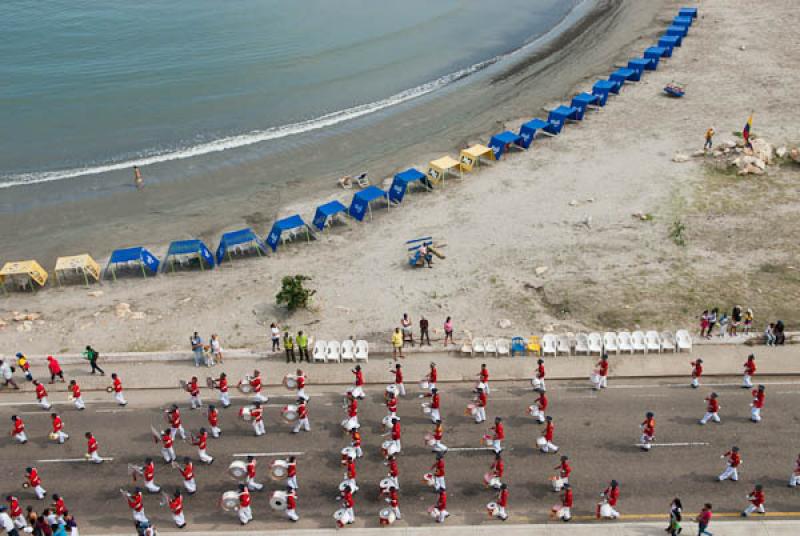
{"x": 565, "y": 205}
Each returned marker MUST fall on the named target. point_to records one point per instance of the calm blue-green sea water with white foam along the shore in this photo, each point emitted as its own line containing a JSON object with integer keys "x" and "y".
{"x": 88, "y": 87}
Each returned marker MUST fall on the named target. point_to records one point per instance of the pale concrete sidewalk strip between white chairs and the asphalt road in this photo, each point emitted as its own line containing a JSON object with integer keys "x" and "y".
{"x": 144, "y": 371}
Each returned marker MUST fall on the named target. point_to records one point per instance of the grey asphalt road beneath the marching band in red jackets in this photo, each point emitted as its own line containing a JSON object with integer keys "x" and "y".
{"x": 597, "y": 431}
